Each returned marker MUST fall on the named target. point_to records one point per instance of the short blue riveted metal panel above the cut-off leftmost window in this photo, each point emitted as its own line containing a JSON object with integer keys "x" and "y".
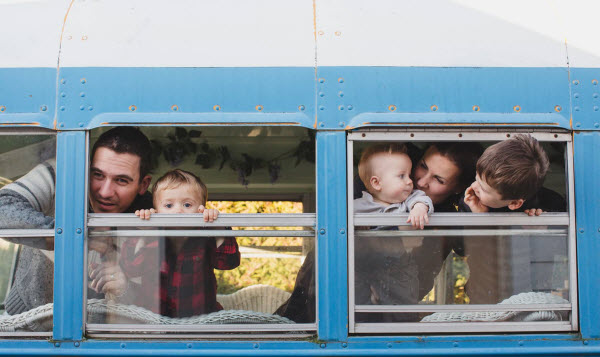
{"x": 27, "y": 96}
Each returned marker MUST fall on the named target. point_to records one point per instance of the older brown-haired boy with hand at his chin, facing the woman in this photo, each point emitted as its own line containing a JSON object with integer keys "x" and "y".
{"x": 509, "y": 173}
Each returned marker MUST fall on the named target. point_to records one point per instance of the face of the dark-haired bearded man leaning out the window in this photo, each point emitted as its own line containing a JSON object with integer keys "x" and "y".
{"x": 115, "y": 181}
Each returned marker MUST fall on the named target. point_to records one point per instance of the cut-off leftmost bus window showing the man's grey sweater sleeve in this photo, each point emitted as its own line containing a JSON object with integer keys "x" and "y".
{"x": 27, "y": 185}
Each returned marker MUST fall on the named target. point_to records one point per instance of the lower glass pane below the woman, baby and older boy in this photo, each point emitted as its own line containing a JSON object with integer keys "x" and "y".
{"x": 430, "y": 270}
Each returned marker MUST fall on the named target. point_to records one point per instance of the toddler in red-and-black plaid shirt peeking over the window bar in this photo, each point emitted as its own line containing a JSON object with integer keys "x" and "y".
{"x": 177, "y": 274}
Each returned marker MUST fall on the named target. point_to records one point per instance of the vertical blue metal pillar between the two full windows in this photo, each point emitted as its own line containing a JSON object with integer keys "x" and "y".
{"x": 332, "y": 244}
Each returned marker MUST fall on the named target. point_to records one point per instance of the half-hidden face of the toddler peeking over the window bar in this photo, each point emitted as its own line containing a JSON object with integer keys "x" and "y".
{"x": 182, "y": 199}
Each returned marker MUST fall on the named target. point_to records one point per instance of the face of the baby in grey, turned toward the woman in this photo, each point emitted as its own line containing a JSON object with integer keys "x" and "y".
{"x": 391, "y": 180}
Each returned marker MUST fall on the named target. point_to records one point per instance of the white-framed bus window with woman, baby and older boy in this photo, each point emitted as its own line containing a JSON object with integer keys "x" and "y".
{"x": 474, "y": 272}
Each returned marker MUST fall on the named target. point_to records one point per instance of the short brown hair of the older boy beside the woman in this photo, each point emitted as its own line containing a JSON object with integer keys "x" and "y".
{"x": 516, "y": 167}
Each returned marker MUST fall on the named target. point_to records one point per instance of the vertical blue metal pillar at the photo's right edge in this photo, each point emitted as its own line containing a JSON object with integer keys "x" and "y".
{"x": 587, "y": 200}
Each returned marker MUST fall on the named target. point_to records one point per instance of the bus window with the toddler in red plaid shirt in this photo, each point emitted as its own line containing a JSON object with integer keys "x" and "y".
{"x": 232, "y": 275}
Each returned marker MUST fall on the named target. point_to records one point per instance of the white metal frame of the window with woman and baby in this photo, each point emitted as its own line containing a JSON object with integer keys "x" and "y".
{"x": 452, "y": 219}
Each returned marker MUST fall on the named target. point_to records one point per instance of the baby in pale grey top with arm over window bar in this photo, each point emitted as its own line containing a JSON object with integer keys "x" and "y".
{"x": 385, "y": 272}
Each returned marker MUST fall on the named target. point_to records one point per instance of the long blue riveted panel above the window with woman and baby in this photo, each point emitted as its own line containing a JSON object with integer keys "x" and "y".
{"x": 459, "y": 95}
